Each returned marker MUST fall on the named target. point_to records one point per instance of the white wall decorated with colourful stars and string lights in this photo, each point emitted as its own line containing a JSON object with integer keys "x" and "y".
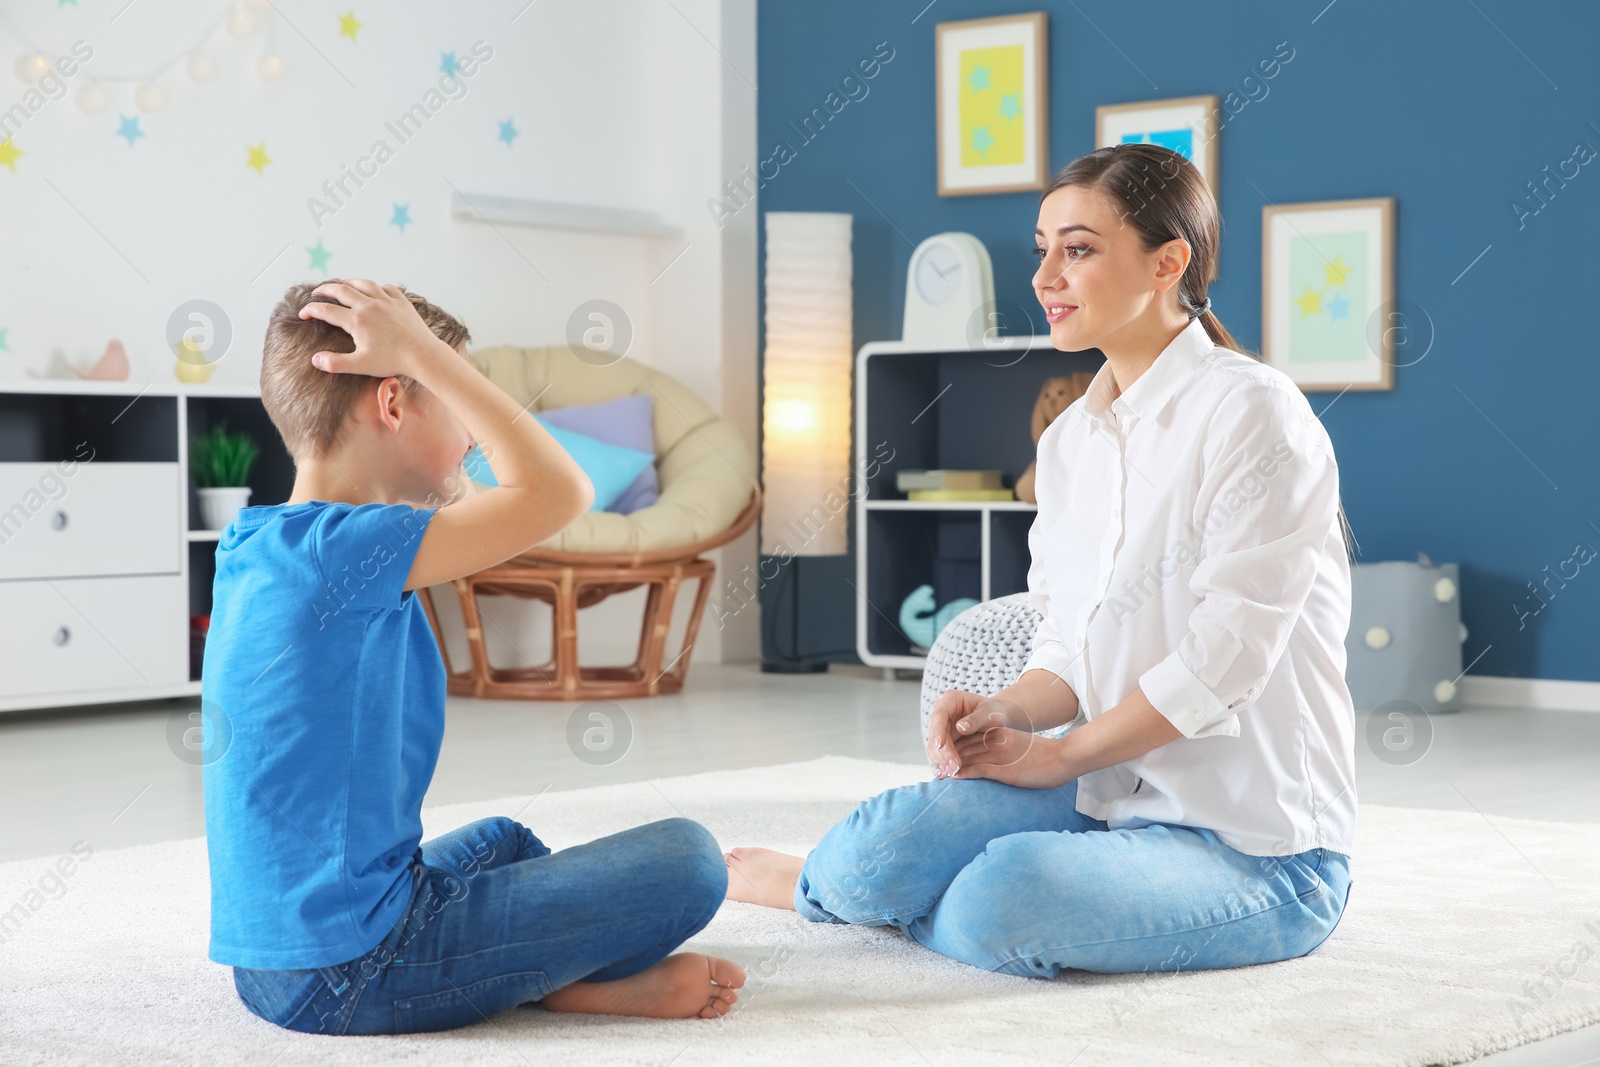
{"x": 620, "y": 105}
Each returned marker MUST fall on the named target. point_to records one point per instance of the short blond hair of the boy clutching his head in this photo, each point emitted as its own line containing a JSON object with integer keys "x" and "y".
{"x": 306, "y": 404}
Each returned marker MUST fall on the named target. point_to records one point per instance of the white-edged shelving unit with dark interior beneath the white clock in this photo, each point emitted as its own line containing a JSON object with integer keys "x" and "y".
{"x": 942, "y": 409}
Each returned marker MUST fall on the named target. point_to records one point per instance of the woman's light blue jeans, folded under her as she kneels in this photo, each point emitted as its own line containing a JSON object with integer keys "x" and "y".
{"x": 1018, "y": 881}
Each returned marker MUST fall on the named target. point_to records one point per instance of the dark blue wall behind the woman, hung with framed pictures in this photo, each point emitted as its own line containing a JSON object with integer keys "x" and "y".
{"x": 1486, "y": 450}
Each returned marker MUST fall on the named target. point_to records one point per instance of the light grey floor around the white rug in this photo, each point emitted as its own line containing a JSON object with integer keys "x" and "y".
{"x": 119, "y": 775}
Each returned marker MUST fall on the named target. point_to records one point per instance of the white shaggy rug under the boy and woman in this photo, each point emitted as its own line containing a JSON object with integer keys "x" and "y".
{"x": 1455, "y": 922}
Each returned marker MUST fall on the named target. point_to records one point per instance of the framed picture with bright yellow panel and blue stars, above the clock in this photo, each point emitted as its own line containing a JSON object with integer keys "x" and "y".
{"x": 993, "y": 105}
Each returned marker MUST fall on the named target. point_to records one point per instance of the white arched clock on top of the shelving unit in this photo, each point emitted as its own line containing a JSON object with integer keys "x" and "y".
{"x": 950, "y": 290}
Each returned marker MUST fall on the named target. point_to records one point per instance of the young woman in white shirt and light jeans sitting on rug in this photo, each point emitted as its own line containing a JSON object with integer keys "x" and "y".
{"x": 1190, "y": 565}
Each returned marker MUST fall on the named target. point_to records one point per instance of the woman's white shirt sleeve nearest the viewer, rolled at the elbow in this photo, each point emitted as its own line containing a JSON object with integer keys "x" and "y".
{"x": 1265, "y": 510}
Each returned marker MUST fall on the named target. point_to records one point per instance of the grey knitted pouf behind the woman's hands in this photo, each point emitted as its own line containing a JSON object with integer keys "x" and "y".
{"x": 983, "y": 650}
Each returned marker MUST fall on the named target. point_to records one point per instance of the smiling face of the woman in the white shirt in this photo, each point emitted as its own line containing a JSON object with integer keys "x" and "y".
{"x": 1094, "y": 279}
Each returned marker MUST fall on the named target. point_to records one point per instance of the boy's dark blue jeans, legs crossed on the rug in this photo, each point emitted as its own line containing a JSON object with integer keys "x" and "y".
{"x": 497, "y": 919}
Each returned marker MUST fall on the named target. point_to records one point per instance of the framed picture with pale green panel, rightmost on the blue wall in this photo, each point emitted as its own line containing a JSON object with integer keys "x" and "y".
{"x": 1327, "y": 289}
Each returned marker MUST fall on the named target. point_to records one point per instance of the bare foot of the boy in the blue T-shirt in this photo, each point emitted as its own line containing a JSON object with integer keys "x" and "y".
{"x": 682, "y": 986}
